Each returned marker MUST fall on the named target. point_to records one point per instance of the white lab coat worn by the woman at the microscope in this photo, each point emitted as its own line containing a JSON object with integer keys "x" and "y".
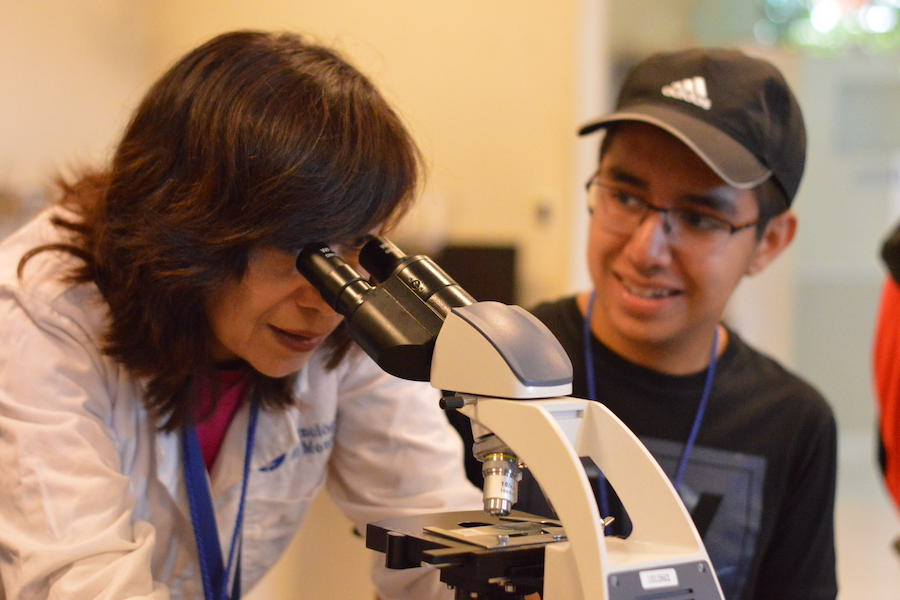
{"x": 92, "y": 498}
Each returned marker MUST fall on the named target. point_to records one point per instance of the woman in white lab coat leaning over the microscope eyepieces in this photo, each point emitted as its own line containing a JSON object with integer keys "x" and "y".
{"x": 156, "y": 308}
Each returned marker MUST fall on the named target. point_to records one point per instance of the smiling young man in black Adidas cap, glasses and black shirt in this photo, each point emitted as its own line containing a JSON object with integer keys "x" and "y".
{"x": 698, "y": 168}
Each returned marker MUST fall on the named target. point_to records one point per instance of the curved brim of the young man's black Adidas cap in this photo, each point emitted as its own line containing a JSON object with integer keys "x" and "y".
{"x": 736, "y": 165}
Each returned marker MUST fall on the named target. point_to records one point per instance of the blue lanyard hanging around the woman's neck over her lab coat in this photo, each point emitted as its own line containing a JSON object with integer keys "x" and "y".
{"x": 203, "y": 517}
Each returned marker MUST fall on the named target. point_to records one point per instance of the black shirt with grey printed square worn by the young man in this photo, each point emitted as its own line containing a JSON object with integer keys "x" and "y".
{"x": 760, "y": 482}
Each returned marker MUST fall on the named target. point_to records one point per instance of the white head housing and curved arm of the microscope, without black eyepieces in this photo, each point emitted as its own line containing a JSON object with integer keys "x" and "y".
{"x": 664, "y": 552}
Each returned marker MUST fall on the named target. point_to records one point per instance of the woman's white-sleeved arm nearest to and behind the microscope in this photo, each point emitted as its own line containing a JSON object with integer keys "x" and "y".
{"x": 395, "y": 454}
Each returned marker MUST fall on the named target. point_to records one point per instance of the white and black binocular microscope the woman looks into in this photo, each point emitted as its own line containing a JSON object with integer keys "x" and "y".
{"x": 505, "y": 371}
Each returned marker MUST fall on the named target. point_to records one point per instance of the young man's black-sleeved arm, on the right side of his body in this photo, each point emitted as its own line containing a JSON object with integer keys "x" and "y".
{"x": 800, "y": 562}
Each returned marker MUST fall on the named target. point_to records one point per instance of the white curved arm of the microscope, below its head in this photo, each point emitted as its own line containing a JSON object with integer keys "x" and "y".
{"x": 549, "y": 436}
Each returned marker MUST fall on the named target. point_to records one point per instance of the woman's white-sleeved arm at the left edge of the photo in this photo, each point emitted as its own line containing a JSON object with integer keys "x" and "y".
{"x": 66, "y": 526}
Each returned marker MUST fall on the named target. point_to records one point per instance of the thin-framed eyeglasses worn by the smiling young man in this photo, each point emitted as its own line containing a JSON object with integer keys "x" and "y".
{"x": 696, "y": 229}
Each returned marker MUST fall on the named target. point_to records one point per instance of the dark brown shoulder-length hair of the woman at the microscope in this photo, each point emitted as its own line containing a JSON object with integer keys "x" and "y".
{"x": 251, "y": 139}
